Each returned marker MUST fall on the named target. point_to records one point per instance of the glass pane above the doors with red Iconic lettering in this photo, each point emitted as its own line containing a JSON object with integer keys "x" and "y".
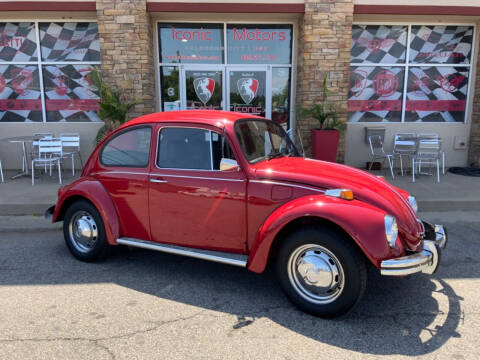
{"x": 191, "y": 43}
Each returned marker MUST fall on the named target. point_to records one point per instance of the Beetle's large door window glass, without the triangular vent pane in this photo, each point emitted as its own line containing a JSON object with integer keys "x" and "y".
{"x": 184, "y": 148}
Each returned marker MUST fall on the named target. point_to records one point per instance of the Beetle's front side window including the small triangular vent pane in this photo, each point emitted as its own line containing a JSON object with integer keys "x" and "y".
{"x": 192, "y": 149}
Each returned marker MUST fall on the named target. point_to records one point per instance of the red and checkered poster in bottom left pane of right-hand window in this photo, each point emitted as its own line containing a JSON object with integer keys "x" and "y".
{"x": 375, "y": 94}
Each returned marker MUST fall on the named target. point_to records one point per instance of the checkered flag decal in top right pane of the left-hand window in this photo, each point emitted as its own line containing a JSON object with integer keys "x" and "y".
{"x": 69, "y": 42}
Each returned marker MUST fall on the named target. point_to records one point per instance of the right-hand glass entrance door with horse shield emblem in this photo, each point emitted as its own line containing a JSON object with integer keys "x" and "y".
{"x": 249, "y": 91}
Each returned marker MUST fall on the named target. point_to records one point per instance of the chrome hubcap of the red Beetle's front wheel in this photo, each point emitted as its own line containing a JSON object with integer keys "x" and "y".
{"x": 316, "y": 274}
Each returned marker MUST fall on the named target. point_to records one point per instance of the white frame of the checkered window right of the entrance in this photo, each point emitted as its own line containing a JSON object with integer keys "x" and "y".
{"x": 407, "y": 64}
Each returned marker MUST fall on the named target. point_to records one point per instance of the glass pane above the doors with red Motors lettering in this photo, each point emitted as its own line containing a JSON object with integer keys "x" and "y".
{"x": 259, "y": 44}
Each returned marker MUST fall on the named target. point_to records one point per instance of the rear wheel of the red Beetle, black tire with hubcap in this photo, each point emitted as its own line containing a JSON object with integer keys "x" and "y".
{"x": 84, "y": 211}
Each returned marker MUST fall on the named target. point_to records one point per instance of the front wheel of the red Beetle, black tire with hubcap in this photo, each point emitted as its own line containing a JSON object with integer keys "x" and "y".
{"x": 346, "y": 271}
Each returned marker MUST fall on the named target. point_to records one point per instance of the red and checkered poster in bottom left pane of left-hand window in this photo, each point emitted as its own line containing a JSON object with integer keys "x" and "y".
{"x": 20, "y": 96}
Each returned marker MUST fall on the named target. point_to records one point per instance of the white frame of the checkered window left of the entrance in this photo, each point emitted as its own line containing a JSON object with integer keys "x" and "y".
{"x": 39, "y": 63}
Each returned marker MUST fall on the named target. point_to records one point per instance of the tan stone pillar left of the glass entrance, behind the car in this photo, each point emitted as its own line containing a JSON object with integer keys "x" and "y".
{"x": 126, "y": 50}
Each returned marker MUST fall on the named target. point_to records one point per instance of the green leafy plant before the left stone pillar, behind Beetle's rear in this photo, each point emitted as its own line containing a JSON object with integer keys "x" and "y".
{"x": 113, "y": 106}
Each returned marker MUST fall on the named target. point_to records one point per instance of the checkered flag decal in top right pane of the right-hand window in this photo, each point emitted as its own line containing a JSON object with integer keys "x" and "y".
{"x": 441, "y": 44}
